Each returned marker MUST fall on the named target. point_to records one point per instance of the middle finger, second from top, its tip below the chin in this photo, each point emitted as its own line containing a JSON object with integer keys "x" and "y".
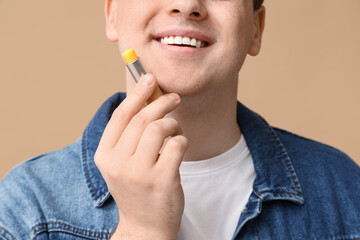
{"x": 130, "y": 138}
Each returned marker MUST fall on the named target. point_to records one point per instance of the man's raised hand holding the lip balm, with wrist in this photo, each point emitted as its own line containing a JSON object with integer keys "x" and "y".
{"x": 145, "y": 185}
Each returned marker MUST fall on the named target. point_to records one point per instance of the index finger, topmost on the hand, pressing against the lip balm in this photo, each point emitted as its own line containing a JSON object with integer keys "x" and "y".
{"x": 122, "y": 115}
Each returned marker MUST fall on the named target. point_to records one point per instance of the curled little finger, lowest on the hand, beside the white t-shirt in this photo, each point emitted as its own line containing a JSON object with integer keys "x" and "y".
{"x": 172, "y": 155}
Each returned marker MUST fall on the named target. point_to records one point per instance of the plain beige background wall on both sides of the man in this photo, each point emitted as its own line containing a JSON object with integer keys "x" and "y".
{"x": 57, "y": 67}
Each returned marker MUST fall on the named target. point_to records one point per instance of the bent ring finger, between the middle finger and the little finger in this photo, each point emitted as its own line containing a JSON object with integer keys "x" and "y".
{"x": 153, "y": 139}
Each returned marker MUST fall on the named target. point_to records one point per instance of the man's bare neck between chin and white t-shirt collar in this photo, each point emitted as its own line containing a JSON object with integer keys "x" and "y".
{"x": 209, "y": 123}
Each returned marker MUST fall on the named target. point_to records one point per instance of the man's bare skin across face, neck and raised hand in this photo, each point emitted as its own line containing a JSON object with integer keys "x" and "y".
{"x": 185, "y": 124}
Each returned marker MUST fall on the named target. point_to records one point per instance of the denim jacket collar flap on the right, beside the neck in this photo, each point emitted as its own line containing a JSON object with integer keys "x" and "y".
{"x": 275, "y": 174}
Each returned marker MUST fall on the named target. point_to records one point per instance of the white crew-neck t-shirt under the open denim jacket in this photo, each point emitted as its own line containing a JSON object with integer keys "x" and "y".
{"x": 216, "y": 192}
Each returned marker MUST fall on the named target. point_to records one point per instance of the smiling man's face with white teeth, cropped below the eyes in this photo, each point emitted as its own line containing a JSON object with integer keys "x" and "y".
{"x": 225, "y": 30}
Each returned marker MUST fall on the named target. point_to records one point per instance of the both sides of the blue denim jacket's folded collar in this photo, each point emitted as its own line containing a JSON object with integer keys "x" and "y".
{"x": 275, "y": 175}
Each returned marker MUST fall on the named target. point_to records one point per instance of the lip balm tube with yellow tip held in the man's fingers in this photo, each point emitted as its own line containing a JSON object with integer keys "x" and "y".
{"x": 137, "y": 70}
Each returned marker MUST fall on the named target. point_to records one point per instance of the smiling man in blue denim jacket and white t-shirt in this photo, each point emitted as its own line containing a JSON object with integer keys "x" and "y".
{"x": 193, "y": 164}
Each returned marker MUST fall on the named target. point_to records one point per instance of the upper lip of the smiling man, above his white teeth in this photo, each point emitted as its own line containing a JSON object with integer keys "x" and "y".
{"x": 184, "y": 33}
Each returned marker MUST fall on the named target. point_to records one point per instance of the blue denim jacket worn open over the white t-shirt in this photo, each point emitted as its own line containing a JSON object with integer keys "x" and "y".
{"x": 303, "y": 189}
